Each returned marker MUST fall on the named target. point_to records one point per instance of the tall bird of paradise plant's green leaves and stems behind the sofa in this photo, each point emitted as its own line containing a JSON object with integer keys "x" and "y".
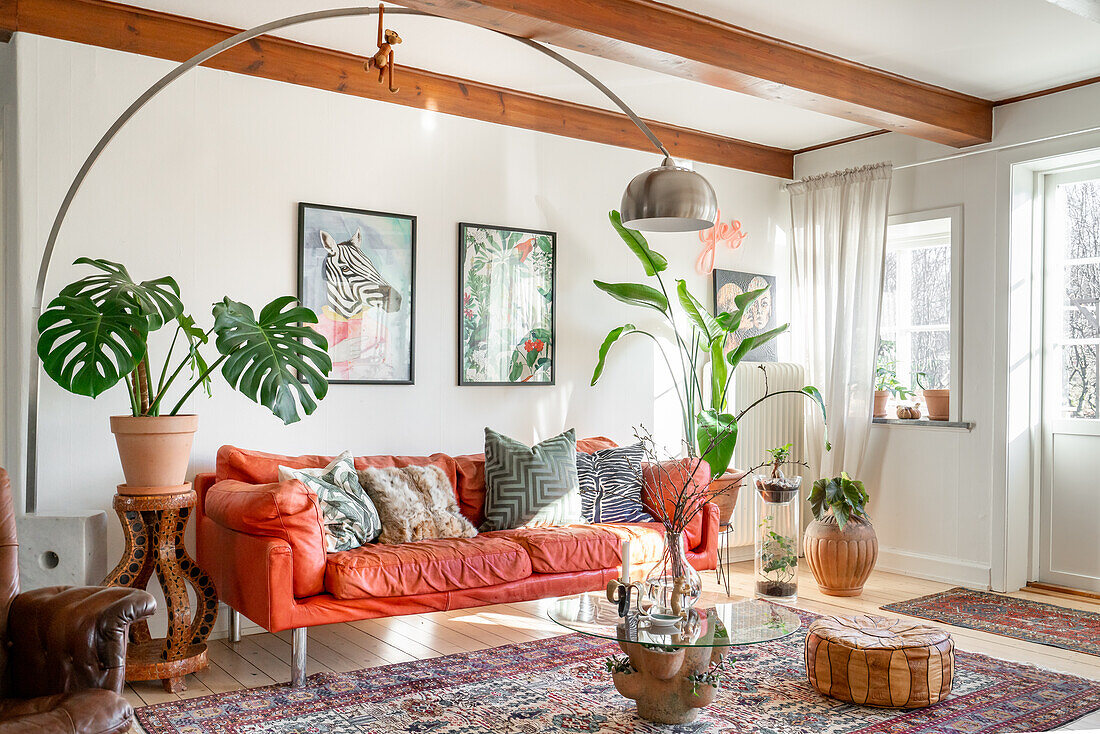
{"x": 710, "y": 426}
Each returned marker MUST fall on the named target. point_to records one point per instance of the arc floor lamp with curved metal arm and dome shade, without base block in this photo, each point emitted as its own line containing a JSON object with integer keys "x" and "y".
{"x": 668, "y": 199}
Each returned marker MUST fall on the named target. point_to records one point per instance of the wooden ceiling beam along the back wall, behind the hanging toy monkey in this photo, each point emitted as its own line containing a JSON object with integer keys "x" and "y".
{"x": 151, "y": 34}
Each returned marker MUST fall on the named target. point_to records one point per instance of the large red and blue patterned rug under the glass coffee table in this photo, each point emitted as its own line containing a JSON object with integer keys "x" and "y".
{"x": 560, "y": 685}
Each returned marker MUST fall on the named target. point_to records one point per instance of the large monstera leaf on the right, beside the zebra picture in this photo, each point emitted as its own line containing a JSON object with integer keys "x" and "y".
{"x": 262, "y": 356}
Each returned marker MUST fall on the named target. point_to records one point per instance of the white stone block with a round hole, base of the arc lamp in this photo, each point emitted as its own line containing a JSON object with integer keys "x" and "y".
{"x": 56, "y": 551}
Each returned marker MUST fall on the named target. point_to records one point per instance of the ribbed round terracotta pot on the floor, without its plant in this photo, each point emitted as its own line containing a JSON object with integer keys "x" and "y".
{"x": 841, "y": 560}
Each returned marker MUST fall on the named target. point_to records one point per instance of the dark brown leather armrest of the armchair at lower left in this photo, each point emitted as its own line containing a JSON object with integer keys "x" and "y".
{"x": 71, "y": 639}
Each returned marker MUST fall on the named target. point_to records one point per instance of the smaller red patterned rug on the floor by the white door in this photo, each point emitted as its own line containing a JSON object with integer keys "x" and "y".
{"x": 1035, "y": 622}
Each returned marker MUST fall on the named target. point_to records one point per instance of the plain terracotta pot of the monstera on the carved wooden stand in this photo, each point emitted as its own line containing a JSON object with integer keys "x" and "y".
{"x": 155, "y": 451}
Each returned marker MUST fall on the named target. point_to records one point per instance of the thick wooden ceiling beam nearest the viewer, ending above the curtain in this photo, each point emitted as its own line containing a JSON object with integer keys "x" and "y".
{"x": 657, "y": 37}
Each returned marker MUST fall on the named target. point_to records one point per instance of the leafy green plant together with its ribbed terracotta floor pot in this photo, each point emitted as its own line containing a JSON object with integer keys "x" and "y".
{"x": 841, "y": 545}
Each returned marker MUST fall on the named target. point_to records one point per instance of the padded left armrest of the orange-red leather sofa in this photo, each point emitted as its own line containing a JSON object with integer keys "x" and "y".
{"x": 278, "y": 510}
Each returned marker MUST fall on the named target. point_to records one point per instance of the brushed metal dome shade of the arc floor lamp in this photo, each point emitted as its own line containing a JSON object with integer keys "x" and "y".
{"x": 669, "y": 199}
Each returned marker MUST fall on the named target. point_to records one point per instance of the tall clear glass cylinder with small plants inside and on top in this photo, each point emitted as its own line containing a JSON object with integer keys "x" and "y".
{"x": 777, "y": 530}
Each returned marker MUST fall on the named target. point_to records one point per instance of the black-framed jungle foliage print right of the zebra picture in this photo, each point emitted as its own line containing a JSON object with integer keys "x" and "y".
{"x": 507, "y": 306}
